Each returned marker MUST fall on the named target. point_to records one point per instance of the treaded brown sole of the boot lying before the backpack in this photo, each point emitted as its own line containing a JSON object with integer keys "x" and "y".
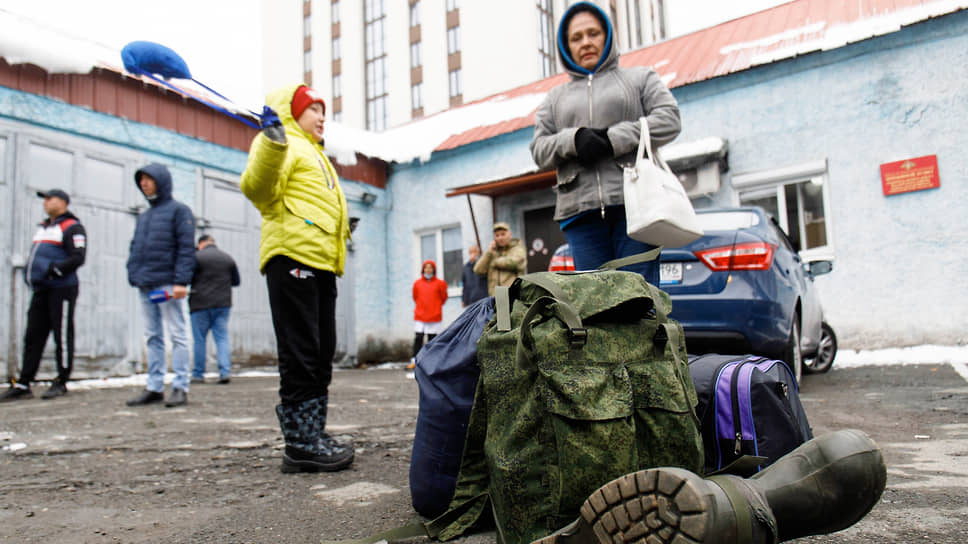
{"x": 663, "y": 505}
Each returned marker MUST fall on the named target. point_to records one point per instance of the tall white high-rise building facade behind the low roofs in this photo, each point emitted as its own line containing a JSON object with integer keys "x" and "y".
{"x": 383, "y": 63}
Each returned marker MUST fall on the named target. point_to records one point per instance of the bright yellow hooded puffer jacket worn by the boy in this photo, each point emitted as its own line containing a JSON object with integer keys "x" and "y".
{"x": 295, "y": 188}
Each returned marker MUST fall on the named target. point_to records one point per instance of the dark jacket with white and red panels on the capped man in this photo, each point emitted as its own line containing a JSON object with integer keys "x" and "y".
{"x": 59, "y": 248}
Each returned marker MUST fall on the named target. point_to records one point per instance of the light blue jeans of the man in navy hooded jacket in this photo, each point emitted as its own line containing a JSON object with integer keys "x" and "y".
{"x": 159, "y": 317}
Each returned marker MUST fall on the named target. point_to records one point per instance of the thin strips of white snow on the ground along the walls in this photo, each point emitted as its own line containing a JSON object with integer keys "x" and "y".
{"x": 956, "y": 356}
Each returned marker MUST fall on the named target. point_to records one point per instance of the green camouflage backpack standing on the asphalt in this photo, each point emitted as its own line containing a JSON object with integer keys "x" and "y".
{"x": 583, "y": 378}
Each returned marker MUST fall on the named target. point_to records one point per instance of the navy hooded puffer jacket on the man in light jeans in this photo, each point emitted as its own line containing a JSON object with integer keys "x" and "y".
{"x": 163, "y": 247}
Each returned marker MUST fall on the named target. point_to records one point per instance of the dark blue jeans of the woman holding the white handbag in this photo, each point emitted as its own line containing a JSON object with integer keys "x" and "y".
{"x": 595, "y": 241}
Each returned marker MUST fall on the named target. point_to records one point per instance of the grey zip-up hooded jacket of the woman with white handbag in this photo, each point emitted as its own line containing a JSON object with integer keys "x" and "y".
{"x": 607, "y": 96}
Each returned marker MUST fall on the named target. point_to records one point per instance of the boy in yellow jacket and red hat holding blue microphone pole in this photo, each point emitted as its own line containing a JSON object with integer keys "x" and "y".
{"x": 303, "y": 249}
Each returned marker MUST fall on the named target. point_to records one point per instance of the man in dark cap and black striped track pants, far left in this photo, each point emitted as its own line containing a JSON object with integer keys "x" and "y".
{"x": 58, "y": 250}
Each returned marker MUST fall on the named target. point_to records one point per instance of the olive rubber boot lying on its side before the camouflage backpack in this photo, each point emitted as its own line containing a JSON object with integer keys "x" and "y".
{"x": 827, "y": 484}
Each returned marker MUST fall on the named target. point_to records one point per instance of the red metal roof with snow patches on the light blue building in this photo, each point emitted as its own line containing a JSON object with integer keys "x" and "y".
{"x": 782, "y": 32}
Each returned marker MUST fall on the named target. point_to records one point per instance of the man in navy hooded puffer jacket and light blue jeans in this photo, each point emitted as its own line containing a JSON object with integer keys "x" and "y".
{"x": 160, "y": 265}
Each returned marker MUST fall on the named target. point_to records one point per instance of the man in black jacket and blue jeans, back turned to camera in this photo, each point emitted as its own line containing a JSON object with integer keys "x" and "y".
{"x": 209, "y": 303}
